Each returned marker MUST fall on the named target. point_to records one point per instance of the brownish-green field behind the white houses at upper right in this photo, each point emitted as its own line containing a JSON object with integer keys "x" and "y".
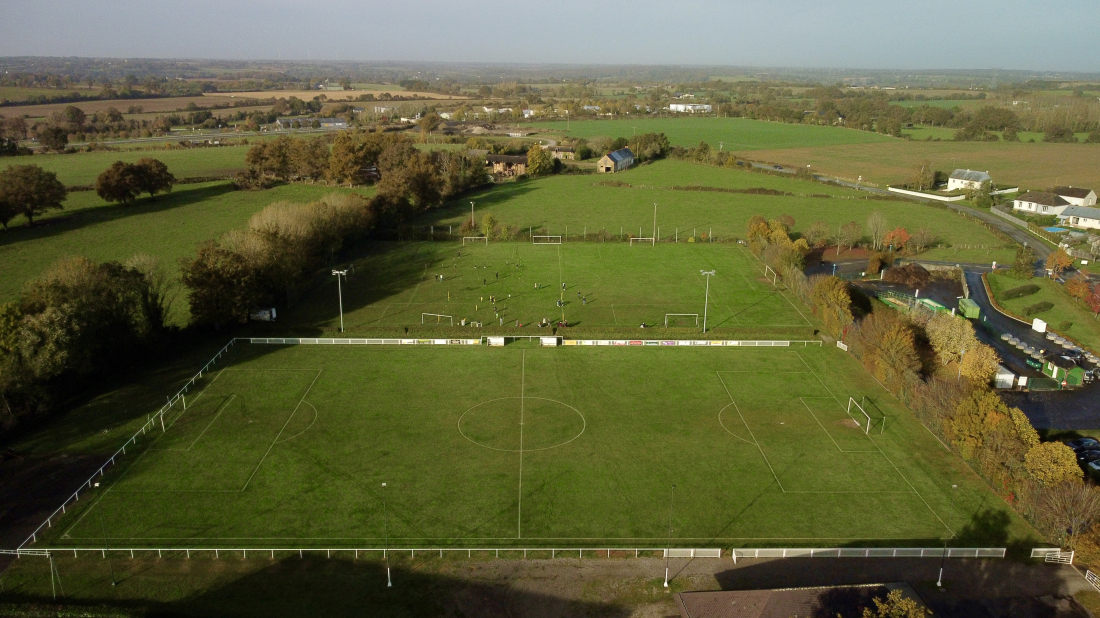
{"x": 1029, "y": 165}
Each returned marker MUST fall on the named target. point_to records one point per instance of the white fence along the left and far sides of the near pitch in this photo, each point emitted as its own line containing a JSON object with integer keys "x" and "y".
{"x": 158, "y": 418}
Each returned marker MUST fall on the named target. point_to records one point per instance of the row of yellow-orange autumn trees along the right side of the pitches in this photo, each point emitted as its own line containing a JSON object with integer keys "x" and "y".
{"x": 917, "y": 357}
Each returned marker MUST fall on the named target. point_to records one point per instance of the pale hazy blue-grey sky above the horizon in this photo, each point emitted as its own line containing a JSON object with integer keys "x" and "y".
{"x": 1008, "y": 35}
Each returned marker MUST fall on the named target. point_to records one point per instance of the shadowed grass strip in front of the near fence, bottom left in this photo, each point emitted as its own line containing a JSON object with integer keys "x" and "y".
{"x": 289, "y": 587}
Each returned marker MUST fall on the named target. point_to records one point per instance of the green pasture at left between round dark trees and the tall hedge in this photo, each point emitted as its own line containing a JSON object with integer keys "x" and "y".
{"x": 169, "y": 228}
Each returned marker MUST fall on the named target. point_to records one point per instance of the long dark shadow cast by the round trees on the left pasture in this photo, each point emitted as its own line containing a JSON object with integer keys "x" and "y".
{"x": 86, "y": 217}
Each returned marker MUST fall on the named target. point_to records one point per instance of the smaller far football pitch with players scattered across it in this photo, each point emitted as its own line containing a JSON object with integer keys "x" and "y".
{"x": 600, "y": 286}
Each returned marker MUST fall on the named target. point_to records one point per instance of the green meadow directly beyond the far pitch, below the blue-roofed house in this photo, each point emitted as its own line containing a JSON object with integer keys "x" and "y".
{"x": 580, "y": 203}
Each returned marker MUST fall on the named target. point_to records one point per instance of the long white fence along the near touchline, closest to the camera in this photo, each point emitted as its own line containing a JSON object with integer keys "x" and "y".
{"x": 516, "y": 553}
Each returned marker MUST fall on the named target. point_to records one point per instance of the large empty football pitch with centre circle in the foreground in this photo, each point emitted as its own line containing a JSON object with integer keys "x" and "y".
{"x": 290, "y": 447}
